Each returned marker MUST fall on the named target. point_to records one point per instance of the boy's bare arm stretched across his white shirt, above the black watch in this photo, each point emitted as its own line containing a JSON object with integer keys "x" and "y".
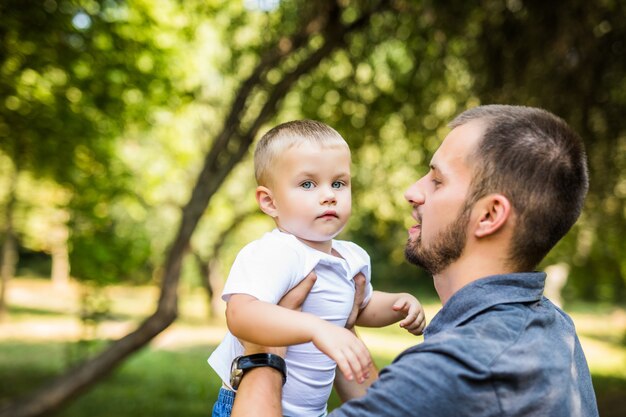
{"x": 271, "y": 325}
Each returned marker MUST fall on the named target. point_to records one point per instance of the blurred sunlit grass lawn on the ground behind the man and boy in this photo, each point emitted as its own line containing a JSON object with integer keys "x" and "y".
{"x": 40, "y": 339}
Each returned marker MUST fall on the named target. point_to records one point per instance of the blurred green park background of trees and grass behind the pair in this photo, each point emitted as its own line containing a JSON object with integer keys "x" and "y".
{"x": 126, "y": 184}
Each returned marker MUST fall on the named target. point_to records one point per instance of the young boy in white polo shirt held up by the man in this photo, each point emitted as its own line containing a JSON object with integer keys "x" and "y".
{"x": 303, "y": 173}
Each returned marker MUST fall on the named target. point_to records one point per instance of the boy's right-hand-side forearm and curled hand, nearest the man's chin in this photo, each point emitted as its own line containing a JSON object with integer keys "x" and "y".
{"x": 385, "y": 308}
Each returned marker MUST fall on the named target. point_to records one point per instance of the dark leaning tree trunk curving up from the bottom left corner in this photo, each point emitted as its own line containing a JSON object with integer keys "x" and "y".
{"x": 229, "y": 147}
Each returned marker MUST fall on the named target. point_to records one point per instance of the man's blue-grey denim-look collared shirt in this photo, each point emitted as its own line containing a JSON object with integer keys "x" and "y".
{"x": 497, "y": 348}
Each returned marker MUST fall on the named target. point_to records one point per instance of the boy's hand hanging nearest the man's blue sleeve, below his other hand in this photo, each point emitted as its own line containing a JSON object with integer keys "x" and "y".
{"x": 346, "y": 349}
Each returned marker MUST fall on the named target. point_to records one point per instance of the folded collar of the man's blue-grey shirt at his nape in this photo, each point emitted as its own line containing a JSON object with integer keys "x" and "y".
{"x": 485, "y": 293}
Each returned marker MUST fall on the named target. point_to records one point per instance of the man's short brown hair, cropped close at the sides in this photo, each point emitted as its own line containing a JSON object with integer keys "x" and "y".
{"x": 539, "y": 163}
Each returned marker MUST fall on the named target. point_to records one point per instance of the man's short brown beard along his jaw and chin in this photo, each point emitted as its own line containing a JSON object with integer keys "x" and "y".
{"x": 446, "y": 248}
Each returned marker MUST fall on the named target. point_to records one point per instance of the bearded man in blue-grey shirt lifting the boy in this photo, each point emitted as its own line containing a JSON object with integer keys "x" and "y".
{"x": 504, "y": 187}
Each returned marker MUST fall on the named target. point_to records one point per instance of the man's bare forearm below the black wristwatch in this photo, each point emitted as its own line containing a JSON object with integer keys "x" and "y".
{"x": 259, "y": 394}
